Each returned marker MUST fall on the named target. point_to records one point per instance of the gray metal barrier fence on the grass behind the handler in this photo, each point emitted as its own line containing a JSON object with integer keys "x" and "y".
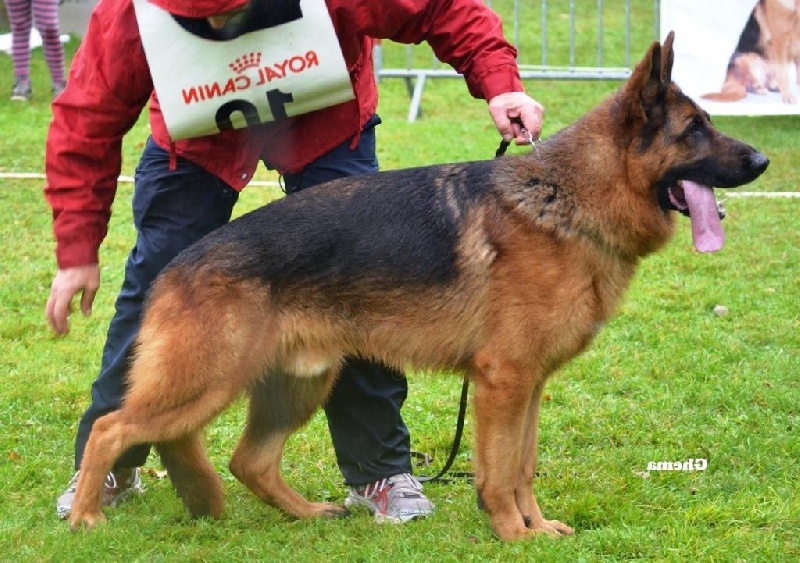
{"x": 572, "y": 43}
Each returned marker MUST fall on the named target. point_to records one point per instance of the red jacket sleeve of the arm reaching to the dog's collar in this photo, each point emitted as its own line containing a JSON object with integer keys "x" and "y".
{"x": 463, "y": 33}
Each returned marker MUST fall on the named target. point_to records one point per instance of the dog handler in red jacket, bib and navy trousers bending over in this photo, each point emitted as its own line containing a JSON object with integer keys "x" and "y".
{"x": 229, "y": 83}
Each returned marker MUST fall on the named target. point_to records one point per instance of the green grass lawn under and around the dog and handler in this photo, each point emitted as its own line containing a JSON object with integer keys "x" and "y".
{"x": 666, "y": 380}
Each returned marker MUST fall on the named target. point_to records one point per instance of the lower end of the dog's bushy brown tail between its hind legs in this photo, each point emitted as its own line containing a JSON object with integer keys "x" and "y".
{"x": 192, "y": 475}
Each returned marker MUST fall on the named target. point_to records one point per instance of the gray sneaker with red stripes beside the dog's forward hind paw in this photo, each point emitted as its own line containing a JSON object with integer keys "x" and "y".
{"x": 397, "y": 499}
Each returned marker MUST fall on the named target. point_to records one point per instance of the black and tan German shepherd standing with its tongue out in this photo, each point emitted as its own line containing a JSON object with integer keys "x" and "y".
{"x": 503, "y": 269}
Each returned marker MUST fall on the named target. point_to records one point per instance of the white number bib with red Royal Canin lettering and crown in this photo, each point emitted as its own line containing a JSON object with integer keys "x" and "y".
{"x": 206, "y": 86}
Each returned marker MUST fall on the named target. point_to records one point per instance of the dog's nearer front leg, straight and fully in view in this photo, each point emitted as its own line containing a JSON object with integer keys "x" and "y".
{"x": 502, "y": 397}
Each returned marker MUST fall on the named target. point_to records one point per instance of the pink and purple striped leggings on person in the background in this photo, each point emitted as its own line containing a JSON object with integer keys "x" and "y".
{"x": 21, "y": 16}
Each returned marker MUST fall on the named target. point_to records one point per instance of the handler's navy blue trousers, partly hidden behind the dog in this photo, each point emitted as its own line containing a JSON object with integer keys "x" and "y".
{"x": 174, "y": 208}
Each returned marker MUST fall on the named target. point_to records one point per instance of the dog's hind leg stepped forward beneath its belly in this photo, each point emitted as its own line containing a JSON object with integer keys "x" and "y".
{"x": 279, "y": 405}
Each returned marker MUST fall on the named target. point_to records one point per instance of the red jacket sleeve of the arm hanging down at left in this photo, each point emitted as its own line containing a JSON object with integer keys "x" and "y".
{"x": 108, "y": 86}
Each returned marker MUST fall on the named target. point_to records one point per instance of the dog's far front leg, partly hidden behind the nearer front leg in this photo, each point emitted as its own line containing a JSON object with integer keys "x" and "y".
{"x": 526, "y": 500}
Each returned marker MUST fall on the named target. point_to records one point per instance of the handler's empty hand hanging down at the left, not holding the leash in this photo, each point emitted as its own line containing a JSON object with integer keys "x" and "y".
{"x": 68, "y": 283}
